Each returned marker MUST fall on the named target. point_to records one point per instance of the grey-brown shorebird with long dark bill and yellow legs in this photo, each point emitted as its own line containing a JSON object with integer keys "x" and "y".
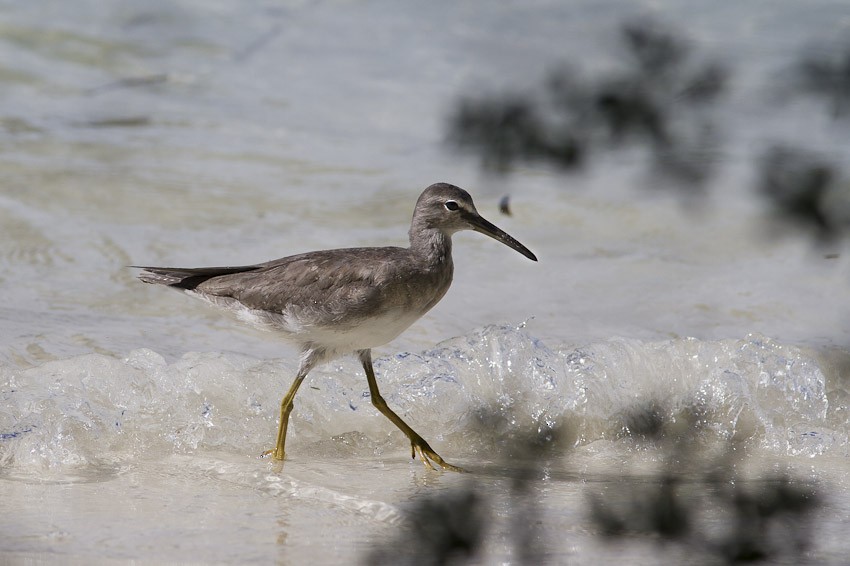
{"x": 336, "y": 302}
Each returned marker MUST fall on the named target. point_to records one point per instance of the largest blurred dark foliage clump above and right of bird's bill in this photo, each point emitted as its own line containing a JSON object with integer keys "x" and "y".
{"x": 657, "y": 101}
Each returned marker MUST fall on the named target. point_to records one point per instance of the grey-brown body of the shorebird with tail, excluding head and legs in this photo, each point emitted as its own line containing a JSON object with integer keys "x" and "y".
{"x": 345, "y": 299}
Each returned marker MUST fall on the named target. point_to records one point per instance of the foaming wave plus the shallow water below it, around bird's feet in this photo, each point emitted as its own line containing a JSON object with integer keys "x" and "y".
{"x": 139, "y": 458}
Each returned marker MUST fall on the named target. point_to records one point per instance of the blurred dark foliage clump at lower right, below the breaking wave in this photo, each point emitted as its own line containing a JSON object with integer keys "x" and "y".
{"x": 766, "y": 519}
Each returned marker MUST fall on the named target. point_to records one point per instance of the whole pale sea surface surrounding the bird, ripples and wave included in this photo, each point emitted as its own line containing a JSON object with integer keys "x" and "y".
{"x": 194, "y": 133}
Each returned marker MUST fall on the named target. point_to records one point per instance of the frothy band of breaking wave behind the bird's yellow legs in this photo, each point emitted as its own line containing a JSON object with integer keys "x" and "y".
{"x": 96, "y": 412}
